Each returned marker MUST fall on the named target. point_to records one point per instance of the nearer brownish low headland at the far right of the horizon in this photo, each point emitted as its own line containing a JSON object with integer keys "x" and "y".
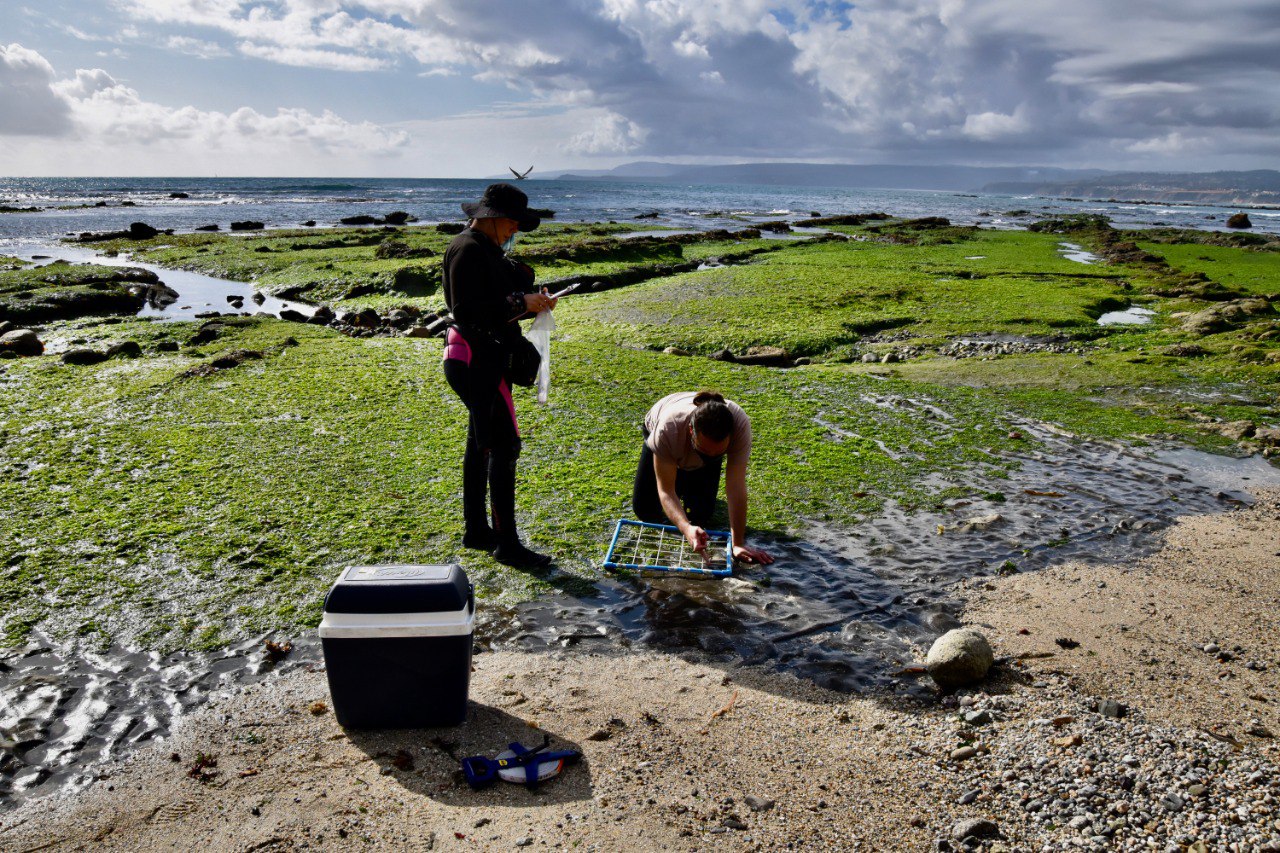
{"x": 1256, "y": 188}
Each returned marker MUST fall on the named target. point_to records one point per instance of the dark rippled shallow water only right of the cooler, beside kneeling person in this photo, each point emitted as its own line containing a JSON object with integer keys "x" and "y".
{"x": 851, "y": 610}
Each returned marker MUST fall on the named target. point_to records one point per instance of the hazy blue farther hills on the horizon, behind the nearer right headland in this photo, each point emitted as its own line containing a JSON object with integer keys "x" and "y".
{"x": 833, "y": 175}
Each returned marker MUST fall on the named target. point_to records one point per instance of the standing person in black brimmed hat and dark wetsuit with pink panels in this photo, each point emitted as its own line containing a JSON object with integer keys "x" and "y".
{"x": 487, "y": 293}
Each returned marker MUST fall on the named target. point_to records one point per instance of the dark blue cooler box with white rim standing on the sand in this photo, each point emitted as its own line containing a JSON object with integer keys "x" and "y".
{"x": 397, "y": 646}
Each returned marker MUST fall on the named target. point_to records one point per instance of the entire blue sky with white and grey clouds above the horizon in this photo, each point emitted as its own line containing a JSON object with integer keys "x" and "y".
{"x": 469, "y": 88}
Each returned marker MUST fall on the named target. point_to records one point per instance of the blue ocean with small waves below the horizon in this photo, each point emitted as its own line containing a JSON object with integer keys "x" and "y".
{"x": 74, "y": 206}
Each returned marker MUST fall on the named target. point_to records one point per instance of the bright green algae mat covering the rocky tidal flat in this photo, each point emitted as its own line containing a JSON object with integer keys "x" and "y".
{"x": 157, "y": 501}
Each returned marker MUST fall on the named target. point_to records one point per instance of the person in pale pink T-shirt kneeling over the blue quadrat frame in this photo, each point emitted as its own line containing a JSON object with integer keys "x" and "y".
{"x": 687, "y": 441}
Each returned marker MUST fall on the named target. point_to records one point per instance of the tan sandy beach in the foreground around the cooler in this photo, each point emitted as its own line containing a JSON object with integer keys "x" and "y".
{"x": 675, "y": 746}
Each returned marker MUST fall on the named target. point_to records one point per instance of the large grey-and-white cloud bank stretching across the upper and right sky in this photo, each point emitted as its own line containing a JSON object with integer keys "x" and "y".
{"x": 973, "y": 80}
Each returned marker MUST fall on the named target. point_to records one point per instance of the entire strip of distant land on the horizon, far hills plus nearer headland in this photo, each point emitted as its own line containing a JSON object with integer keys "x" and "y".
{"x": 1256, "y": 188}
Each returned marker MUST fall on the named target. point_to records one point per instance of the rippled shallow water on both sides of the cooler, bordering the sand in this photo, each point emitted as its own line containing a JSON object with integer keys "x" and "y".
{"x": 845, "y": 609}
